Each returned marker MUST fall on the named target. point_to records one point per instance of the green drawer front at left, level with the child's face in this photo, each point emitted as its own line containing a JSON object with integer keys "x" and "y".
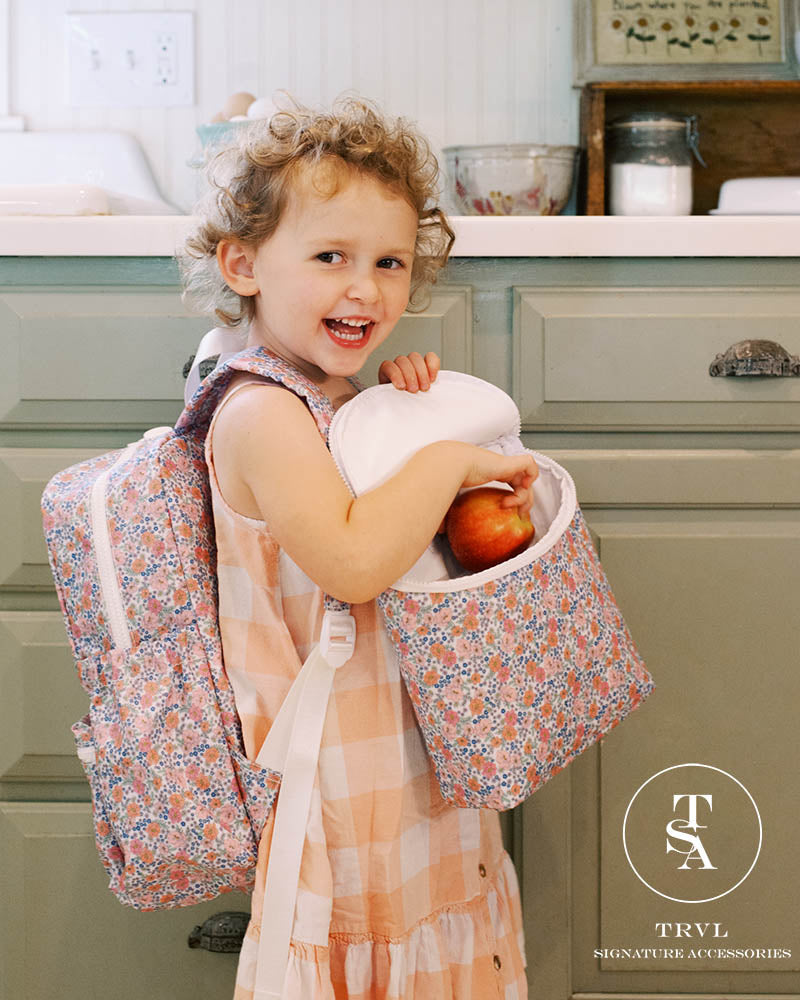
{"x": 100, "y": 358}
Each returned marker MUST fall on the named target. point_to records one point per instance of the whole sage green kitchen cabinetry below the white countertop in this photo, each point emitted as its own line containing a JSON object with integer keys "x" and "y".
{"x": 690, "y": 484}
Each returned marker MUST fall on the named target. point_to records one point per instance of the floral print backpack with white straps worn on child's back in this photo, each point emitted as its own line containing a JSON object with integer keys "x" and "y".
{"x": 178, "y": 808}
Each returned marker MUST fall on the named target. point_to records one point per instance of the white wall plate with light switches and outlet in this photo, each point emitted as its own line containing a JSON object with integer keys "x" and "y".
{"x": 130, "y": 59}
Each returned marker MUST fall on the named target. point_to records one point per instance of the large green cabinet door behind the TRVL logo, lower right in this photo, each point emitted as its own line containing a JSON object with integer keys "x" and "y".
{"x": 711, "y": 600}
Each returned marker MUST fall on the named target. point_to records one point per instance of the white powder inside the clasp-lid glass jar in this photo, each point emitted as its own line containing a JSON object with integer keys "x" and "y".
{"x": 650, "y": 189}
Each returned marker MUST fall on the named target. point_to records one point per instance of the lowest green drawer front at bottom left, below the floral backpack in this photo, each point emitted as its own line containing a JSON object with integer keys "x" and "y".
{"x": 63, "y": 934}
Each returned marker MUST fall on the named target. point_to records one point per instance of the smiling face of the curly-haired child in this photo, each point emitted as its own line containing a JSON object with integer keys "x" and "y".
{"x": 334, "y": 278}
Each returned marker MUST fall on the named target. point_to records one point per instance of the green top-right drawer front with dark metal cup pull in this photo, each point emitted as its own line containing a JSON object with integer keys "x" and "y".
{"x": 639, "y": 358}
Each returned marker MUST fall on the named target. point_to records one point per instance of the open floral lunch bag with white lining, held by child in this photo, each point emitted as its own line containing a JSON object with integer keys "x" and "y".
{"x": 515, "y": 670}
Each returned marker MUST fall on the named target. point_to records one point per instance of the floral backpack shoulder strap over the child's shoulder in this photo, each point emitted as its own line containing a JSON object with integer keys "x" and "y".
{"x": 196, "y": 417}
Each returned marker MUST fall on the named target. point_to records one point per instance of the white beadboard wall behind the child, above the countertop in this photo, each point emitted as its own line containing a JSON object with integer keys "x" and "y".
{"x": 466, "y": 70}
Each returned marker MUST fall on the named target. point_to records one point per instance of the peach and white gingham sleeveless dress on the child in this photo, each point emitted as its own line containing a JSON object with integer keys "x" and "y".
{"x": 400, "y": 894}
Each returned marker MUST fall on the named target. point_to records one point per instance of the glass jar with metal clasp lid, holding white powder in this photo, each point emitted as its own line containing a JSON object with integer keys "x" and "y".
{"x": 650, "y": 163}
